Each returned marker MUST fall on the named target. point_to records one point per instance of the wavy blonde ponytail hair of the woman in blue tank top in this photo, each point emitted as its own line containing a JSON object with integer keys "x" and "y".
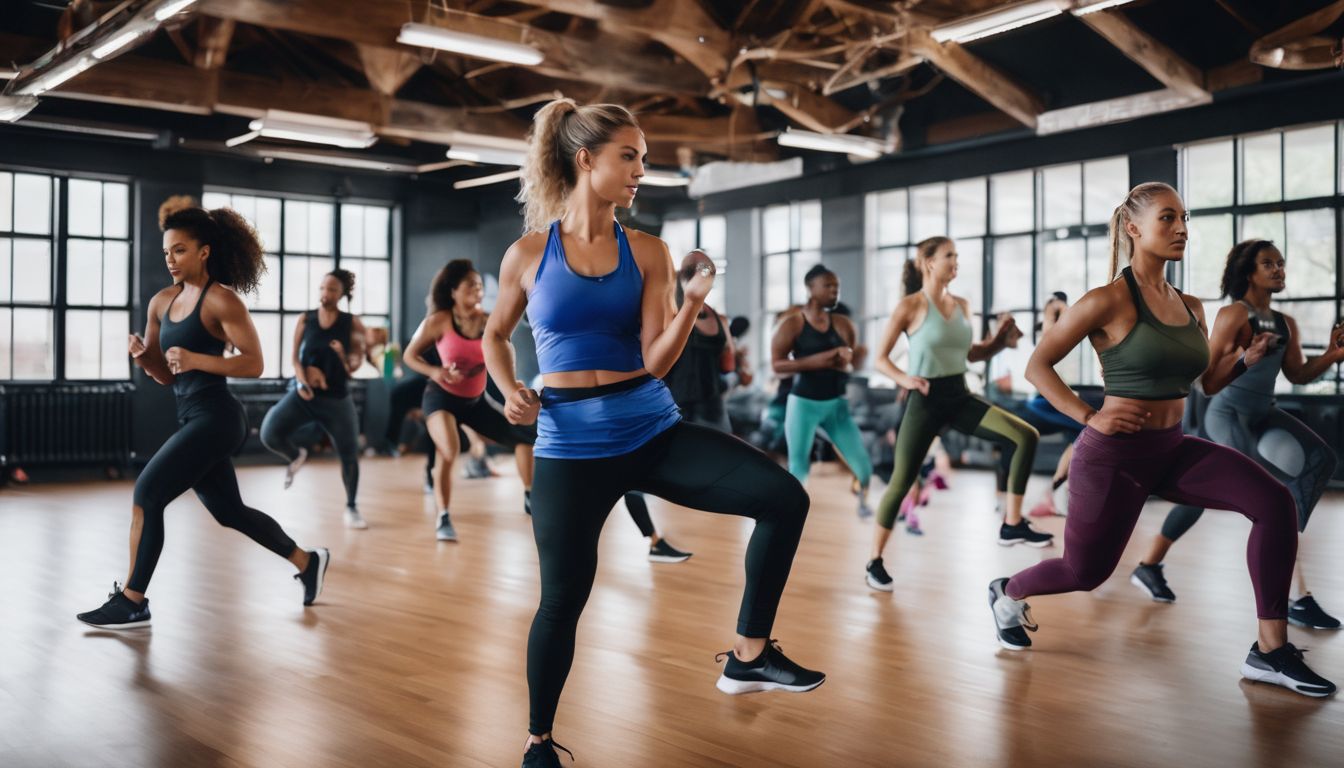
{"x": 560, "y": 131}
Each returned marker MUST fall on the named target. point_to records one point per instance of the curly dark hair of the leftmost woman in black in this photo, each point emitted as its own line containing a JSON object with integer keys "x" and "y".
{"x": 236, "y": 252}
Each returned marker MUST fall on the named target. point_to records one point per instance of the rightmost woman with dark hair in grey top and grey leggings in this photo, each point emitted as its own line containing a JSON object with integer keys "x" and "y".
{"x": 1244, "y": 416}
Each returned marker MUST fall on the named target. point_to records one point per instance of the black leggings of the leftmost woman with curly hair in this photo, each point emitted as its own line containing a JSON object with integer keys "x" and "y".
{"x": 198, "y": 458}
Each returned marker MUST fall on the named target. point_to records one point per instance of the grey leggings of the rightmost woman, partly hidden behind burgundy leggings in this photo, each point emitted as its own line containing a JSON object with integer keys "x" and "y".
{"x": 1284, "y": 446}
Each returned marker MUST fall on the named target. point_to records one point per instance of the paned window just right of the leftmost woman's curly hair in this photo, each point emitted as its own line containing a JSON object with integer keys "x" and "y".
{"x": 300, "y": 239}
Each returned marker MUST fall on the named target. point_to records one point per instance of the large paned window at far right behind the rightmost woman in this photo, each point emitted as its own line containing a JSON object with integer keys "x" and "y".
{"x": 1280, "y": 186}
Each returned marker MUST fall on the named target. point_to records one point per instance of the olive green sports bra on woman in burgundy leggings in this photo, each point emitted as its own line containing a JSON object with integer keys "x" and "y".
{"x": 1155, "y": 361}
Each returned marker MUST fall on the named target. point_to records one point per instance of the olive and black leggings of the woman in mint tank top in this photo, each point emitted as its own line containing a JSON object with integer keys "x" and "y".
{"x": 951, "y": 404}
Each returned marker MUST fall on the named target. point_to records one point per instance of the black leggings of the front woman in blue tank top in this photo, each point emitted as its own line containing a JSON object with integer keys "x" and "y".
{"x": 686, "y": 465}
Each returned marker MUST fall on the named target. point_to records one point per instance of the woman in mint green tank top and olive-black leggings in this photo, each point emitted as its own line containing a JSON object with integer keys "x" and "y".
{"x": 939, "y": 328}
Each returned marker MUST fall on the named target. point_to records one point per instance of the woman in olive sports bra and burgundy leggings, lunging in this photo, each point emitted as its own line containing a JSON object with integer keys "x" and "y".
{"x": 1152, "y": 345}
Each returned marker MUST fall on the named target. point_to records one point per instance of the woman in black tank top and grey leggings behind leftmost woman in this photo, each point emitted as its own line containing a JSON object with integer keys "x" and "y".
{"x": 329, "y": 348}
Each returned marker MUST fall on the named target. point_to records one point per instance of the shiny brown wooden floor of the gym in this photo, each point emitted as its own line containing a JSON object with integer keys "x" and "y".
{"x": 416, "y": 653}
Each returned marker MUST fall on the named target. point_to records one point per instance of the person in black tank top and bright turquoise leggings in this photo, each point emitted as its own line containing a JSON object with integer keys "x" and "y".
{"x": 816, "y": 346}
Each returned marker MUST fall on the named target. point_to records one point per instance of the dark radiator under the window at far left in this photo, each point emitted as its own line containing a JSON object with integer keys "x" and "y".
{"x": 65, "y": 424}
